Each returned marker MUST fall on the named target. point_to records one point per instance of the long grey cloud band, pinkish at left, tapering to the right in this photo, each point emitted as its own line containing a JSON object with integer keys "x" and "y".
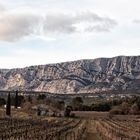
{"x": 14, "y": 27}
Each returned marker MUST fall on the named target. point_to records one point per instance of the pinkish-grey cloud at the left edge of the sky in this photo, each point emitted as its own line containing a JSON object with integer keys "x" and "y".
{"x": 14, "y": 27}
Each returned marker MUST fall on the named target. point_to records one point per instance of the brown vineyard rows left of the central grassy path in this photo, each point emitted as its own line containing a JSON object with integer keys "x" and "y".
{"x": 64, "y": 129}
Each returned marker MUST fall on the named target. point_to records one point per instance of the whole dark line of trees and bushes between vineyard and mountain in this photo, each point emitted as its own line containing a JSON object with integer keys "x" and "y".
{"x": 114, "y": 106}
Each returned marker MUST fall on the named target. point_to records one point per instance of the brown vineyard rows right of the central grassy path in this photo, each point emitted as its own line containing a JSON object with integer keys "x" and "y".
{"x": 110, "y": 129}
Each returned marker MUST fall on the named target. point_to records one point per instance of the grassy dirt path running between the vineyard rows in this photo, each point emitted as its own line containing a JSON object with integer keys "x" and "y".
{"x": 91, "y": 132}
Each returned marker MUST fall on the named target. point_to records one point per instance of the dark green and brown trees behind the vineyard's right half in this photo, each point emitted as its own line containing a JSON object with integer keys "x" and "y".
{"x": 128, "y": 105}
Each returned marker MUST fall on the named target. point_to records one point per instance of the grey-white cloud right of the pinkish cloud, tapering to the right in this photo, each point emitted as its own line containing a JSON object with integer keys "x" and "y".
{"x": 78, "y": 22}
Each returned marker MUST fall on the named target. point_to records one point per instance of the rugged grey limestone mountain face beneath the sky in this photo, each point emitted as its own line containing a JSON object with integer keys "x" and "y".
{"x": 83, "y": 76}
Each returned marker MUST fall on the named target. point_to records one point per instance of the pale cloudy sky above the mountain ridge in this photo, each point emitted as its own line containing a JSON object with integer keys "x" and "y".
{"x": 35, "y": 32}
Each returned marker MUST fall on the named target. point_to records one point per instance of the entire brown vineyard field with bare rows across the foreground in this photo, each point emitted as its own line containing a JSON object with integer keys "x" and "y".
{"x": 69, "y": 129}
